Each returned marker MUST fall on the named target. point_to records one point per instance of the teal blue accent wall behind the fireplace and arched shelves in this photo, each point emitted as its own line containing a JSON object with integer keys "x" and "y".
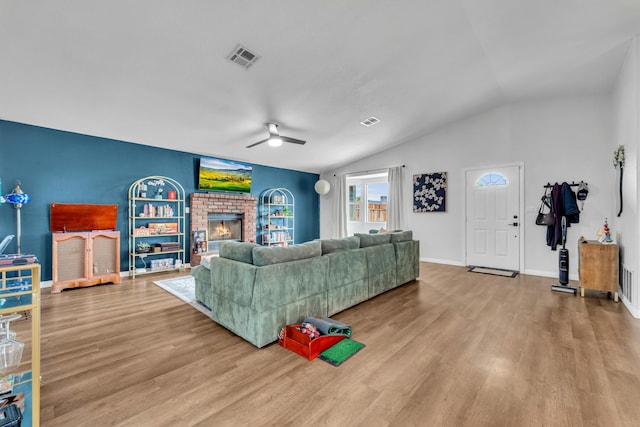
{"x": 65, "y": 167}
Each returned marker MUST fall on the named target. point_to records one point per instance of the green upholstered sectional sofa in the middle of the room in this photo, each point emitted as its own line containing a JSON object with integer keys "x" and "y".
{"x": 255, "y": 290}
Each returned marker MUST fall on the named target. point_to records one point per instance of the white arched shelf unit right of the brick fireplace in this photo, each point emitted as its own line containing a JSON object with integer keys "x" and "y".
{"x": 276, "y": 217}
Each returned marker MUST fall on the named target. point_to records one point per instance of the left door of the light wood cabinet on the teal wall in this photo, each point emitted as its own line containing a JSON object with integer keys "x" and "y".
{"x": 69, "y": 257}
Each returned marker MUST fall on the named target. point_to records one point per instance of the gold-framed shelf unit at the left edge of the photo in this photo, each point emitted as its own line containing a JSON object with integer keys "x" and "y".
{"x": 20, "y": 291}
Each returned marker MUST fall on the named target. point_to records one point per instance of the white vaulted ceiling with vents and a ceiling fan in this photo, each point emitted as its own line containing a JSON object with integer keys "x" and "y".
{"x": 155, "y": 72}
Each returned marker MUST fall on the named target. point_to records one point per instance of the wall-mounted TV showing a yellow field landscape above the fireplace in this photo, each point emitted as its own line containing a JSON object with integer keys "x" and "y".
{"x": 224, "y": 175}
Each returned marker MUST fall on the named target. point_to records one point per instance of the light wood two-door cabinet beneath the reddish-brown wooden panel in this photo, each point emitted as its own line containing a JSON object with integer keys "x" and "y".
{"x": 85, "y": 258}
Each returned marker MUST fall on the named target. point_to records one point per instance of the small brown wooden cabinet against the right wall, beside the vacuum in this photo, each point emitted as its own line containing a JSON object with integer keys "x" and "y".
{"x": 598, "y": 266}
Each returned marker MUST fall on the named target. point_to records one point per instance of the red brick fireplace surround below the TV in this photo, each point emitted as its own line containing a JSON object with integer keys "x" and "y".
{"x": 205, "y": 204}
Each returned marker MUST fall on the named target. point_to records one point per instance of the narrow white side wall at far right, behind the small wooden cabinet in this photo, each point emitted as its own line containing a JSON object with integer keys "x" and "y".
{"x": 626, "y": 108}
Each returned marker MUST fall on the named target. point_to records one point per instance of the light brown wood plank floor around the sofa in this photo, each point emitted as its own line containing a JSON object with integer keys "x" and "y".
{"x": 451, "y": 349}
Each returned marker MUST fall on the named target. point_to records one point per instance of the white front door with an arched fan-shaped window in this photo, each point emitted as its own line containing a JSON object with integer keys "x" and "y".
{"x": 493, "y": 218}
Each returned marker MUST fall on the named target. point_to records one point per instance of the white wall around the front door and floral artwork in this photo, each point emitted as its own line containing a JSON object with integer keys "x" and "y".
{"x": 559, "y": 140}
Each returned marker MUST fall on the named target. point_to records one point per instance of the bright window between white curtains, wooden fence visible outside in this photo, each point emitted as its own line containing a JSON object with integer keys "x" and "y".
{"x": 368, "y": 199}
